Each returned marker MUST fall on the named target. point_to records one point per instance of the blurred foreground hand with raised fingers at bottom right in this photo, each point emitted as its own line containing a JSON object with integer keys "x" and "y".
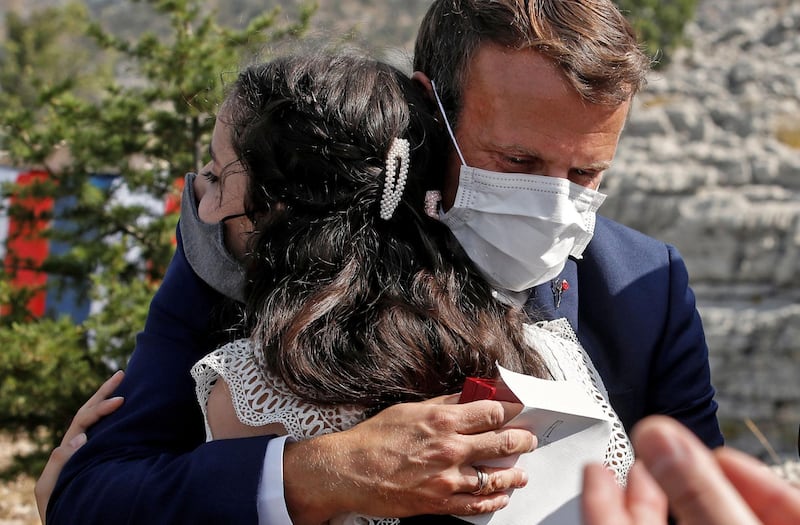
{"x": 703, "y": 487}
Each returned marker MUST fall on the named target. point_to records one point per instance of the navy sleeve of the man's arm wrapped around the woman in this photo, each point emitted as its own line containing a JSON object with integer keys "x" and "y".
{"x": 148, "y": 461}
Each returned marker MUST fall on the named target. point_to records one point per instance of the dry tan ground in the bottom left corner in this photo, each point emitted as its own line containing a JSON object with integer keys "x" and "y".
{"x": 17, "y": 505}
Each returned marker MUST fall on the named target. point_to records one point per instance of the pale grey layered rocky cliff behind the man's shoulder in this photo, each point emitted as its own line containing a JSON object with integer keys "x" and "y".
{"x": 710, "y": 162}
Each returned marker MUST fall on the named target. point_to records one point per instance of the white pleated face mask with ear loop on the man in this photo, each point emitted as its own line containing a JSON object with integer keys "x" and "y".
{"x": 519, "y": 229}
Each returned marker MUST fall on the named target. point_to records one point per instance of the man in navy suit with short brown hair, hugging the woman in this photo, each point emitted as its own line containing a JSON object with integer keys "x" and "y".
{"x": 540, "y": 88}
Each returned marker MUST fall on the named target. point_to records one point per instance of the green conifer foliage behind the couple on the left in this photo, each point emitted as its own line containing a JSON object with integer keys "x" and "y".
{"x": 148, "y": 123}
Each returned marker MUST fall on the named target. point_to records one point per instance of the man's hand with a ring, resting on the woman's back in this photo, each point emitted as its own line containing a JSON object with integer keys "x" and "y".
{"x": 410, "y": 459}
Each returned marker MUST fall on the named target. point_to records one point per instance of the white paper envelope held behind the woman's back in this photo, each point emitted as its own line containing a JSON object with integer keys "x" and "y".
{"x": 572, "y": 430}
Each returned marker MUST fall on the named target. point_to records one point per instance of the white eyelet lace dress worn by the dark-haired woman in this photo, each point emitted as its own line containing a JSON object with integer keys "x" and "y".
{"x": 261, "y": 399}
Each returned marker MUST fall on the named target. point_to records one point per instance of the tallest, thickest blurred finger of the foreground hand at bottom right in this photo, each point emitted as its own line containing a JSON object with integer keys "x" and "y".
{"x": 697, "y": 490}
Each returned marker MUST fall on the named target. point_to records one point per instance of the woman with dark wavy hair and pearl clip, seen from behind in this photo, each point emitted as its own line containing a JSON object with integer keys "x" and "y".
{"x": 357, "y": 296}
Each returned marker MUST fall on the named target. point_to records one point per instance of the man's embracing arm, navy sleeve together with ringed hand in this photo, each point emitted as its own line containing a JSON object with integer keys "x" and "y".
{"x": 148, "y": 462}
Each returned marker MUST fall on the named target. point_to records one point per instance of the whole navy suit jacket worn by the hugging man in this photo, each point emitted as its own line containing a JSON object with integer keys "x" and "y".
{"x": 148, "y": 462}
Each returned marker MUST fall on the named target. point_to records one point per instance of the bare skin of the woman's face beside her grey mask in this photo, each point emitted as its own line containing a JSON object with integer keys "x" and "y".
{"x": 221, "y": 187}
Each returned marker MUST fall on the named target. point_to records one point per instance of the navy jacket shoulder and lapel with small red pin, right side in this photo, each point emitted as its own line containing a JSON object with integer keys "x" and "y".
{"x": 638, "y": 322}
